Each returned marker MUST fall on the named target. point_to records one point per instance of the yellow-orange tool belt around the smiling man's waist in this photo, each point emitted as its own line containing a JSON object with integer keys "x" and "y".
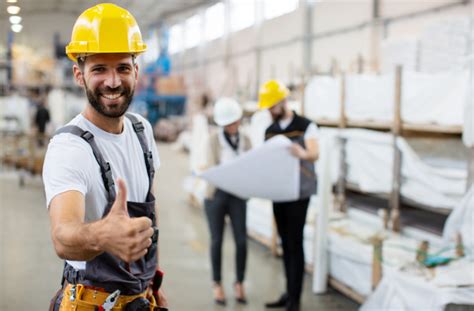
{"x": 84, "y": 298}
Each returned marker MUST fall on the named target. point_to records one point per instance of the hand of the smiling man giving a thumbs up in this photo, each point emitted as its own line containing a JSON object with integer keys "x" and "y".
{"x": 125, "y": 237}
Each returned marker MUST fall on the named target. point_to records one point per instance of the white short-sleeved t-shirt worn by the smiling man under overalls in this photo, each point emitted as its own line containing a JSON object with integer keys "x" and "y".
{"x": 71, "y": 165}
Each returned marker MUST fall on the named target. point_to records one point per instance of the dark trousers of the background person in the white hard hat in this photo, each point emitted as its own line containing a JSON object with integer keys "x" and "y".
{"x": 217, "y": 208}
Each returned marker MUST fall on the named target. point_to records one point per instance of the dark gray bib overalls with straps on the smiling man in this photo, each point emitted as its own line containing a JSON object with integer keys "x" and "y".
{"x": 107, "y": 271}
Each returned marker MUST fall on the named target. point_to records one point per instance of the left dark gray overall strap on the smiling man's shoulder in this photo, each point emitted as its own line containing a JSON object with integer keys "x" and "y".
{"x": 105, "y": 170}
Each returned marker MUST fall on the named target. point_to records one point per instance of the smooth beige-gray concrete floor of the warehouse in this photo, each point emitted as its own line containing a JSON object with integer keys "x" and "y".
{"x": 30, "y": 272}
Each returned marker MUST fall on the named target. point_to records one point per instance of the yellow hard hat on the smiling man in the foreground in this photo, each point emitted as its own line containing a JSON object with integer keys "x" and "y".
{"x": 105, "y": 28}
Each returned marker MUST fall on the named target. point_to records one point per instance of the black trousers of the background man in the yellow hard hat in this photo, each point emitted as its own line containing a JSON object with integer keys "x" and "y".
{"x": 290, "y": 219}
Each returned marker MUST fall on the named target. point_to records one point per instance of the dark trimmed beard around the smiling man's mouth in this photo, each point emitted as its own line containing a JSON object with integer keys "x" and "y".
{"x": 95, "y": 100}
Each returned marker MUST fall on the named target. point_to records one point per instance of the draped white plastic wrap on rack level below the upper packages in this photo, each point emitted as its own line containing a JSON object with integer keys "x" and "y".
{"x": 369, "y": 156}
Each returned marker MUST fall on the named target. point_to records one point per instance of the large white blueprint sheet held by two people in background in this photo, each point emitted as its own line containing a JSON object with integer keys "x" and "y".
{"x": 268, "y": 172}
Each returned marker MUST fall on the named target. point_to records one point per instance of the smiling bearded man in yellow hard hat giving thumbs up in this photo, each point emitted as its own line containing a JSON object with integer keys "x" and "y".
{"x": 98, "y": 176}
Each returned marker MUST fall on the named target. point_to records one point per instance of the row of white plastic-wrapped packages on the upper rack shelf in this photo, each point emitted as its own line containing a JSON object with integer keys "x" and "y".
{"x": 426, "y": 98}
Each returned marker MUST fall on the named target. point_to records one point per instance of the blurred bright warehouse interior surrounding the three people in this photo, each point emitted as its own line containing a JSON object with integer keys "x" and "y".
{"x": 389, "y": 84}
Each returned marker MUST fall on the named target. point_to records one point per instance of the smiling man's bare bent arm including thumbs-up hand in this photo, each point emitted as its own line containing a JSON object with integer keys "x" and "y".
{"x": 117, "y": 233}
